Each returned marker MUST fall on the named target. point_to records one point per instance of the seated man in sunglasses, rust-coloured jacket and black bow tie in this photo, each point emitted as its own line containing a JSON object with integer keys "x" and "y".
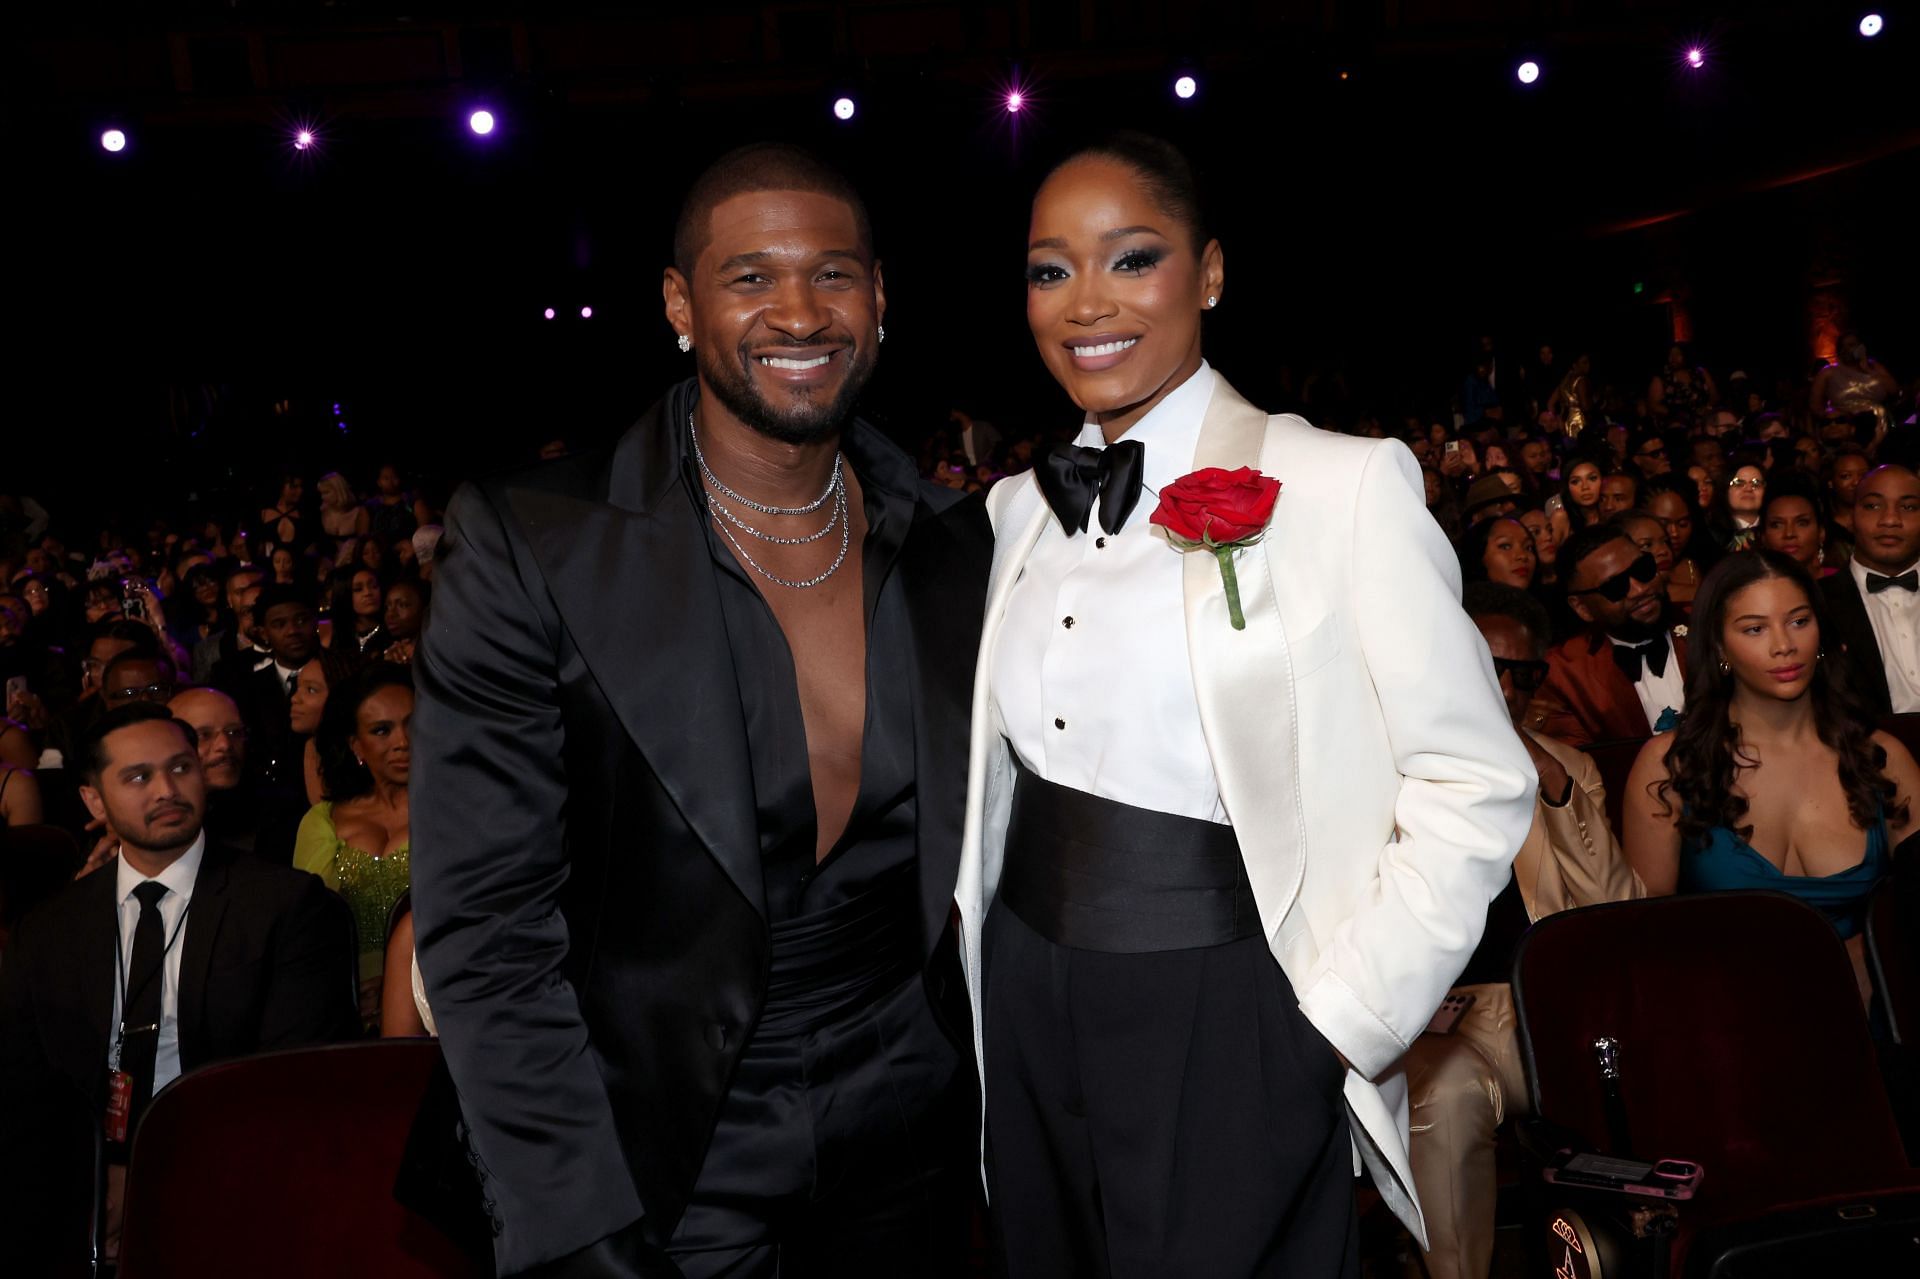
{"x": 1627, "y": 671}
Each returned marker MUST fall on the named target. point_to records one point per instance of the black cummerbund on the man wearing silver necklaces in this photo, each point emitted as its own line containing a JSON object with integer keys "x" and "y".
{"x": 844, "y": 957}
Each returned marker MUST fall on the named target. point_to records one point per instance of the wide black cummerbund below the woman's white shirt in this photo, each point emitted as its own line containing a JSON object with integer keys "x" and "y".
{"x": 1097, "y": 875}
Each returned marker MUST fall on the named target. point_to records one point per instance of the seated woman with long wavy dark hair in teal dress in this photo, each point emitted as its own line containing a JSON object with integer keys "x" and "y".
{"x": 1775, "y": 777}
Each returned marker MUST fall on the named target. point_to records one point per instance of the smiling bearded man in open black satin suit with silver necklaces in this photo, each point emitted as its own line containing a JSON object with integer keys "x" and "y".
{"x": 690, "y": 767}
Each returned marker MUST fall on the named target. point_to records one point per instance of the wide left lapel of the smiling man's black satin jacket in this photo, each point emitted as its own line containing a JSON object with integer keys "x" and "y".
{"x": 633, "y": 579}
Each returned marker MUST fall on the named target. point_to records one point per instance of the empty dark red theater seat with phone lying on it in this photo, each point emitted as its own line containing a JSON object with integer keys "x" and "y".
{"x": 1742, "y": 1048}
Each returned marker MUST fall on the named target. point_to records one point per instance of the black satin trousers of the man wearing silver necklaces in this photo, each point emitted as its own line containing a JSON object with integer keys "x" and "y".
{"x": 846, "y": 1144}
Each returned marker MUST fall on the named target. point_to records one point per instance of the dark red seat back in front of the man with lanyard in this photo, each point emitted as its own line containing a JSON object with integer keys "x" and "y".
{"x": 283, "y": 1165}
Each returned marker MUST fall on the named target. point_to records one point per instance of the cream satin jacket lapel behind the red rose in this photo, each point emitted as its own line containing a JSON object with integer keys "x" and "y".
{"x": 1255, "y": 742}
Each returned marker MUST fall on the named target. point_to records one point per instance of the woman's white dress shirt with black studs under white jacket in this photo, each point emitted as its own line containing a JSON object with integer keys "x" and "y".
{"x": 1092, "y": 671}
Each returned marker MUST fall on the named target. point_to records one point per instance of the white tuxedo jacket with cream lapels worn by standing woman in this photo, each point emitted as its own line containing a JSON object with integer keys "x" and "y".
{"x": 1358, "y": 735}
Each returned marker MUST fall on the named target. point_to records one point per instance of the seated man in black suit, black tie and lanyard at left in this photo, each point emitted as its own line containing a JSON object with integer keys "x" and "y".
{"x": 218, "y": 957}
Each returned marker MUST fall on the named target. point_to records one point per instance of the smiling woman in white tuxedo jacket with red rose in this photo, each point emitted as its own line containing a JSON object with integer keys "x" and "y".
{"x": 1236, "y": 813}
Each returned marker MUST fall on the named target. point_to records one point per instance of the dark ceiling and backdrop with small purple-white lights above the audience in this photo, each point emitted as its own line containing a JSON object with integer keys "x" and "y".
{"x": 1383, "y": 187}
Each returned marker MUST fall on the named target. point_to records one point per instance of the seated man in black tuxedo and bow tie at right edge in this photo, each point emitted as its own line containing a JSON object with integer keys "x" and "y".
{"x": 1875, "y": 602}
